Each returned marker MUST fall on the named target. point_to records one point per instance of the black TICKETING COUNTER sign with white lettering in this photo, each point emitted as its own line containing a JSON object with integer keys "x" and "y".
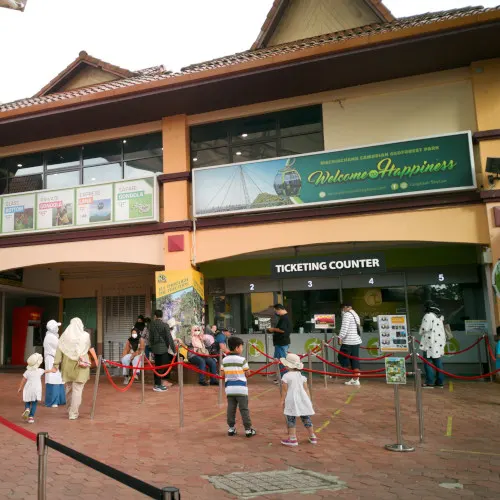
{"x": 328, "y": 266}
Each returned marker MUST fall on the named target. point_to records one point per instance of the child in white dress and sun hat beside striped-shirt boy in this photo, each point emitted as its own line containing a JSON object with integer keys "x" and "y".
{"x": 296, "y": 400}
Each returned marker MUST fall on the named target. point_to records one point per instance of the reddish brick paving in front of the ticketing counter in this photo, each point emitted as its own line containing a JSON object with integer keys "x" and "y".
{"x": 145, "y": 441}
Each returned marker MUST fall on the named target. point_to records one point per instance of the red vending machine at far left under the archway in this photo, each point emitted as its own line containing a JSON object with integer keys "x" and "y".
{"x": 27, "y": 335}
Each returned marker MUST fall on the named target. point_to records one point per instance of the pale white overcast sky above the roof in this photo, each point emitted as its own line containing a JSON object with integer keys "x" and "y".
{"x": 40, "y": 42}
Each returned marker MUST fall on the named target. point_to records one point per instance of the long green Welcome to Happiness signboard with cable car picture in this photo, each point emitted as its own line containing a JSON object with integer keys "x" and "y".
{"x": 405, "y": 168}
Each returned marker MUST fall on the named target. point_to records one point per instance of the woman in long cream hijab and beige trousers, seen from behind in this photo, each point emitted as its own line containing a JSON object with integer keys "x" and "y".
{"x": 72, "y": 356}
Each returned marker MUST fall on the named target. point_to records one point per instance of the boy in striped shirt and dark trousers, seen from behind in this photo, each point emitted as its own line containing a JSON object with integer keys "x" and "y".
{"x": 235, "y": 368}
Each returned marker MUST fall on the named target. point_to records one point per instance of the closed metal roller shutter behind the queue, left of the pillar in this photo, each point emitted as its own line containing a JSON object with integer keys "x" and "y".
{"x": 120, "y": 314}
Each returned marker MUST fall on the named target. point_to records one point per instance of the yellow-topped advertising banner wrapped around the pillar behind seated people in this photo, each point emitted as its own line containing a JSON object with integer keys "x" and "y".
{"x": 180, "y": 295}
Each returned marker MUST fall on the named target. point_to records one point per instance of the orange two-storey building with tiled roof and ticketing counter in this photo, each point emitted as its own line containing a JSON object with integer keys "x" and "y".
{"x": 262, "y": 165}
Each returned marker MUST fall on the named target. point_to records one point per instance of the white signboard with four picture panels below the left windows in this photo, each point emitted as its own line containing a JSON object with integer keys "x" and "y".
{"x": 121, "y": 202}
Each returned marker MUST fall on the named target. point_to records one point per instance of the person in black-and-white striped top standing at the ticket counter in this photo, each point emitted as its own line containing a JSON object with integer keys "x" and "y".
{"x": 350, "y": 340}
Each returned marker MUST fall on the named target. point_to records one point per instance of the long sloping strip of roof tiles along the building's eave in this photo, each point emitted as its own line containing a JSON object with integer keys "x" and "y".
{"x": 255, "y": 55}
